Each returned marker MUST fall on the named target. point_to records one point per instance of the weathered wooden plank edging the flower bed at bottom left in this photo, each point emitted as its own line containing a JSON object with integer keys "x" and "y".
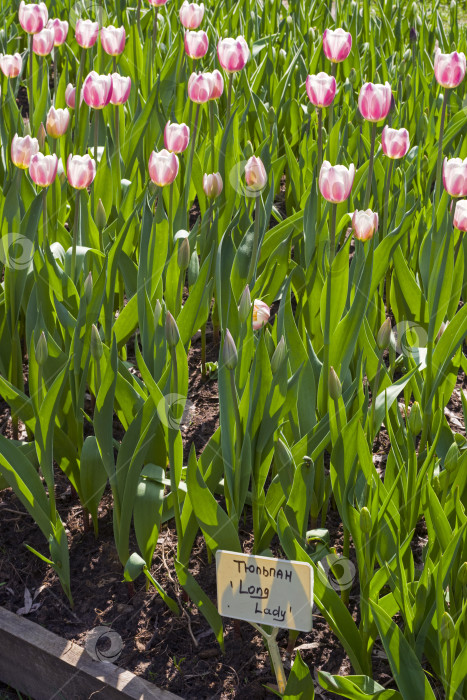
{"x": 45, "y": 666}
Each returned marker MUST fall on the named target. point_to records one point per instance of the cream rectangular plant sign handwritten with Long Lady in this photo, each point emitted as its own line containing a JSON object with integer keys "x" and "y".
{"x": 265, "y": 590}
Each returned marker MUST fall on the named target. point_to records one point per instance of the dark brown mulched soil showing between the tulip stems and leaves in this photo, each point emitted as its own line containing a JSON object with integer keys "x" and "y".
{"x": 178, "y": 654}
